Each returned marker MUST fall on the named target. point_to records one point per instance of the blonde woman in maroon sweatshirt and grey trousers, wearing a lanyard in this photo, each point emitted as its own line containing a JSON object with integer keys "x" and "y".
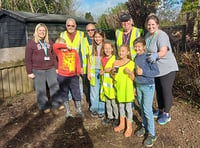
{"x": 41, "y": 65}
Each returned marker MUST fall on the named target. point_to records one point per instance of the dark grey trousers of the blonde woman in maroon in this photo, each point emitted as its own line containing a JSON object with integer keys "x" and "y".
{"x": 41, "y": 77}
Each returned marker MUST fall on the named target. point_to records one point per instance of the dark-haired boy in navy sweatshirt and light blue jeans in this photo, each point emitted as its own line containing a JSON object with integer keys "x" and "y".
{"x": 144, "y": 79}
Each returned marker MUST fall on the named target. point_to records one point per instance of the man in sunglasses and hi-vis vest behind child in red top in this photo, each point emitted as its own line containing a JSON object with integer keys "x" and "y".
{"x": 73, "y": 40}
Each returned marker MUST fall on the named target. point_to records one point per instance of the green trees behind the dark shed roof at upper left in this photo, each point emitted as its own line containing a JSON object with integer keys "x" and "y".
{"x": 43, "y": 6}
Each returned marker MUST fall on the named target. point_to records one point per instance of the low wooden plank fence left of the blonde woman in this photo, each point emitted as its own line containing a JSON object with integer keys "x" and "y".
{"x": 14, "y": 80}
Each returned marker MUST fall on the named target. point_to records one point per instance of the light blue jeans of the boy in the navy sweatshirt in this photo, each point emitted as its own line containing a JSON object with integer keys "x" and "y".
{"x": 145, "y": 94}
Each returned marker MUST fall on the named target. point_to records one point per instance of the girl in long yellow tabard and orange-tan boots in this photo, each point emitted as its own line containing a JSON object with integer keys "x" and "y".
{"x": 124, "y": 76}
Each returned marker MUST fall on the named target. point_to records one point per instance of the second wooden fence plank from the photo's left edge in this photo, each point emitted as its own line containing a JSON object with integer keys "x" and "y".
{"x": 12, "y": 82}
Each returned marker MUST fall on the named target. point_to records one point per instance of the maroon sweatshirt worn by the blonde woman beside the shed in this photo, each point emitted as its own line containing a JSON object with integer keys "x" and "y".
{"x": 34, "y": 56}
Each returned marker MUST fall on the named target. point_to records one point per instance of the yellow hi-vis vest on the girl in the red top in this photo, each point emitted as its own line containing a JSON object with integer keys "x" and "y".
{"x": 107, "y": 86}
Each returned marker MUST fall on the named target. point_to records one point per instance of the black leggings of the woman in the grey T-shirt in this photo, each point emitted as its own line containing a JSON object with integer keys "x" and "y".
{"x": 164, "y": 85}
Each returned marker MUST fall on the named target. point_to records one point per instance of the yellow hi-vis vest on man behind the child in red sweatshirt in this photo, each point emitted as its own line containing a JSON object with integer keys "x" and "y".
{"x": 76, "y": 44}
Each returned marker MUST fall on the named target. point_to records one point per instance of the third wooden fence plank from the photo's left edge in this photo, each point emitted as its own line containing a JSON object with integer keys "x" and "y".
{"x": 18, "y": 77}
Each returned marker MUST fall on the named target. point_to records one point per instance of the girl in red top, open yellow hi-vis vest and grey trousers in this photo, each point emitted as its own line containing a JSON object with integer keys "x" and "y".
{"x": 108, "y": 93}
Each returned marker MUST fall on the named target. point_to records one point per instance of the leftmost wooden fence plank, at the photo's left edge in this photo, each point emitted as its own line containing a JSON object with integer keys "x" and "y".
{"x": 6, "y": 88}
